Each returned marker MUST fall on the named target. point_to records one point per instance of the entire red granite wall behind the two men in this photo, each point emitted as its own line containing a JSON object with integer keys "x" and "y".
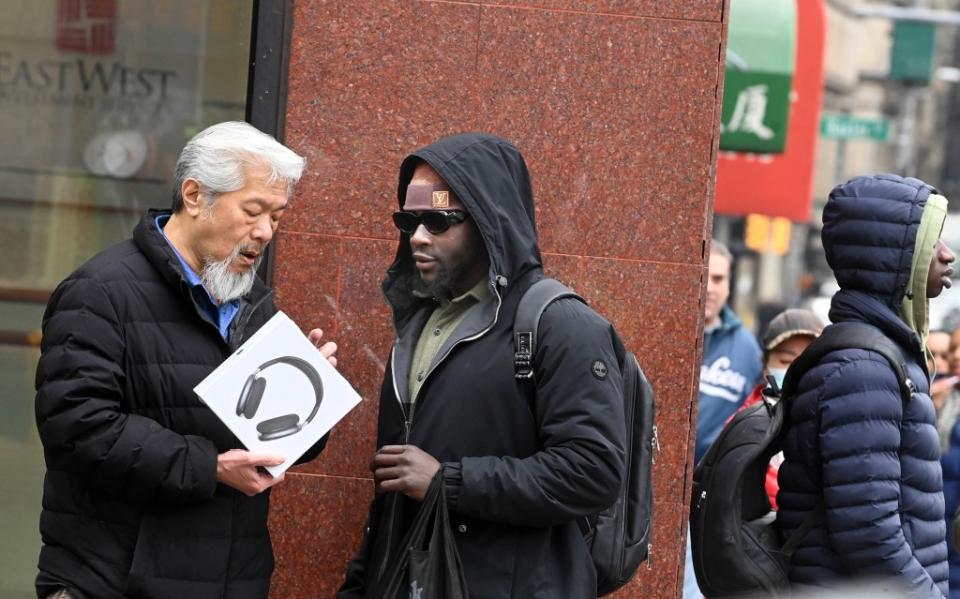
{"x": 613, "y": 102}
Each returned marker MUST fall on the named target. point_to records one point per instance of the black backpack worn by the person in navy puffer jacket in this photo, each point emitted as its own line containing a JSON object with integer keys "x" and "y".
{"x": 736, "y": 548}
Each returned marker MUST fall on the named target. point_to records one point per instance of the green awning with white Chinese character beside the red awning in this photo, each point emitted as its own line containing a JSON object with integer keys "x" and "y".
{"x": 761, "y": 46}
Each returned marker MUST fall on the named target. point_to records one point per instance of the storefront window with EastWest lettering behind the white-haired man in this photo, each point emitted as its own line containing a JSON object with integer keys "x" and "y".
{"x": 97, "y": 97}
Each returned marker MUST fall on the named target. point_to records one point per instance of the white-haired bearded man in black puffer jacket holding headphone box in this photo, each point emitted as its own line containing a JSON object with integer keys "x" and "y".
{"x": 147, "y": 493}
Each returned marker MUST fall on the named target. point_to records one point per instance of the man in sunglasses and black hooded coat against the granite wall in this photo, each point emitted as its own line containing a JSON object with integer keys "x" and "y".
{"x": 520, "y": 465}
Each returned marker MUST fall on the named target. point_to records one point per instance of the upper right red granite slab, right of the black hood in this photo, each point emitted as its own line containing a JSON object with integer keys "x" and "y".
{"x": 613, "y": 136}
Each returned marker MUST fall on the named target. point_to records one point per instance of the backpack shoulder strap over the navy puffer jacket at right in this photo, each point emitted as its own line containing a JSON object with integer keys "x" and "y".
{"x": 847, "y": 335}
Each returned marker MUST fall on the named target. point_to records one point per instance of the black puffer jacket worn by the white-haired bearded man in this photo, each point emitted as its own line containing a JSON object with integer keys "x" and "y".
{"x": 131, "y": 505}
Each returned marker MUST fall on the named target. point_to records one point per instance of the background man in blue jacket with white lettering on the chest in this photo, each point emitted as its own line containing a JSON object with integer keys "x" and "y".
{"x": 731, "y": 366}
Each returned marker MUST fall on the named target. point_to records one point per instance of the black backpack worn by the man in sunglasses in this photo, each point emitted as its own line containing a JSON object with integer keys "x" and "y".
{"x": 620, "y": 536}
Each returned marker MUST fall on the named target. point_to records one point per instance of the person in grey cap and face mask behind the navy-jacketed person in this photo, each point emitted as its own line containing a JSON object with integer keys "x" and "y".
{"x": 785, "y": 338}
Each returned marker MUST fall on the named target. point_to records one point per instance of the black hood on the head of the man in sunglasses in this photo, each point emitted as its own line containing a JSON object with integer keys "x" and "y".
{"x": 490, "y": 177}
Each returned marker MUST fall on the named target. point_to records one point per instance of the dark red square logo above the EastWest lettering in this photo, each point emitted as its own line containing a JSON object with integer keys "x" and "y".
{"x": 88, "y": 26}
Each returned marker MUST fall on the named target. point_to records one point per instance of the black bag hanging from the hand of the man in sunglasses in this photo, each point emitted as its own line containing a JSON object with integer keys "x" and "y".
{"x": 428, "y": 565}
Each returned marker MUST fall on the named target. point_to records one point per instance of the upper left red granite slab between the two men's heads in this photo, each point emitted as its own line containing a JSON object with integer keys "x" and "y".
{"x": 369, "y": 81}
